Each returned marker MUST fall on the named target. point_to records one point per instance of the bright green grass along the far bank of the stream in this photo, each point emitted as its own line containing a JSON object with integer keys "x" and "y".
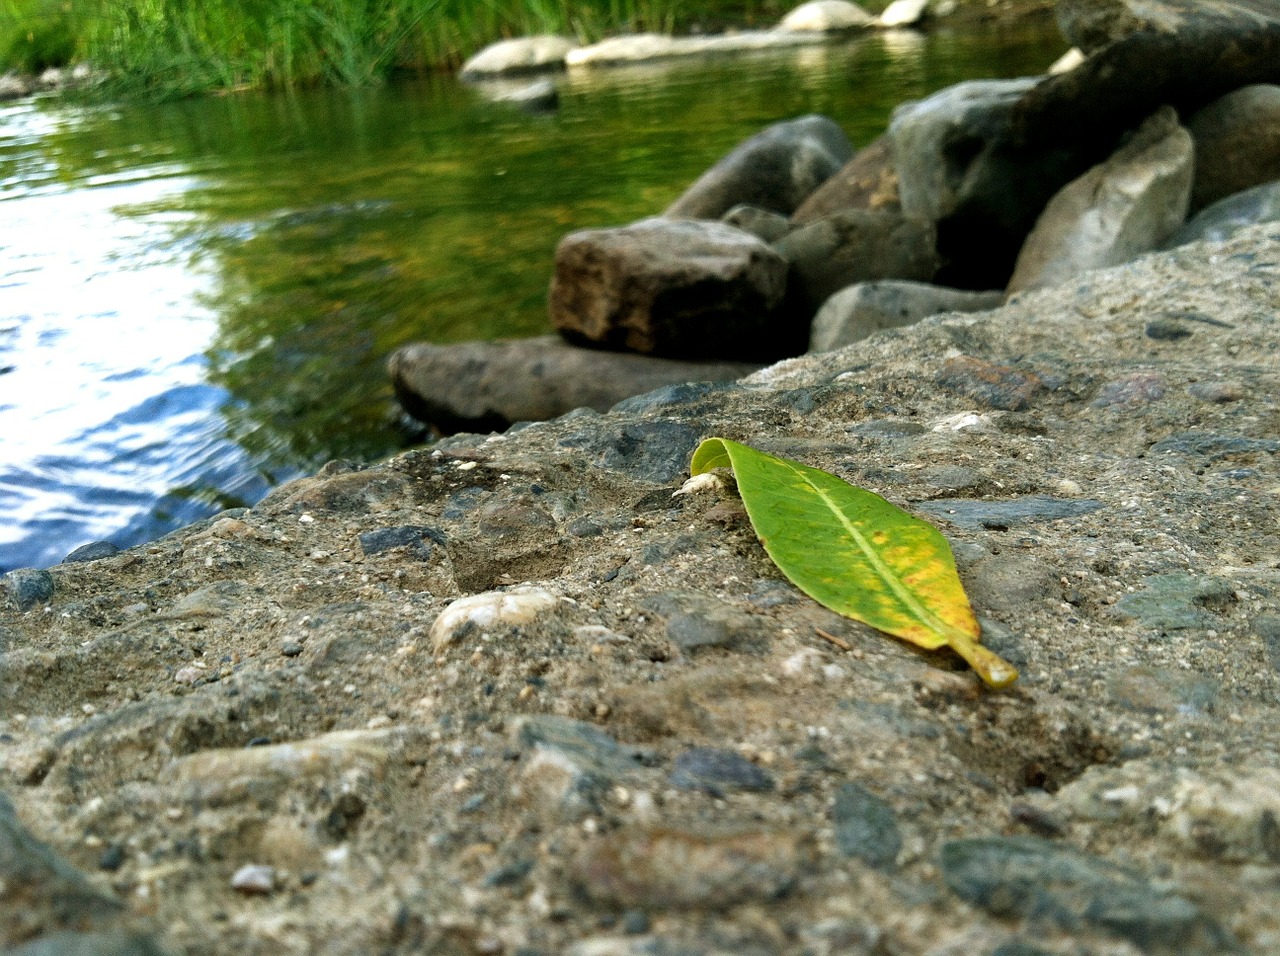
{"x": 176, "y": 48}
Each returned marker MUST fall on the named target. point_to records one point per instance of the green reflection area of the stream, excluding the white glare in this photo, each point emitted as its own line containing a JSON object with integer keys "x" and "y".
{"x": 344, "y": 225}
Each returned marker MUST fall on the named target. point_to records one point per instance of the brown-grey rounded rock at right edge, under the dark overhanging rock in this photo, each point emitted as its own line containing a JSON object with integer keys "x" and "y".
{"x": 1237, "y": 144}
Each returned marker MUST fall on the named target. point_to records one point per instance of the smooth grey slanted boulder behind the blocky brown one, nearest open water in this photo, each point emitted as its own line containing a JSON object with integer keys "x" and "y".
{"x": 776, "y": 170}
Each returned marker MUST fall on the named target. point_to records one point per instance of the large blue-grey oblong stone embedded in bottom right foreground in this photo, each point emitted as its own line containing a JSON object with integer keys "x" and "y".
{"x": 1034, "y": 879}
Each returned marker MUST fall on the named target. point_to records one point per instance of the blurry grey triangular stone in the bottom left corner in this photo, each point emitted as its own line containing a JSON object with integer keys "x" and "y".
{"x": 43, "y": 893}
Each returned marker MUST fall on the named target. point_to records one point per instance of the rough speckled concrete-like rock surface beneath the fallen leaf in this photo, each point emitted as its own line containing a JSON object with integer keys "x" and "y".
{"x": 248, "y": 739}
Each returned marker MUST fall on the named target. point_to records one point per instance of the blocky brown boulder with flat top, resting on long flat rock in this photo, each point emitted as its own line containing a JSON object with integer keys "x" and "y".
{"x": 675, "y": 289}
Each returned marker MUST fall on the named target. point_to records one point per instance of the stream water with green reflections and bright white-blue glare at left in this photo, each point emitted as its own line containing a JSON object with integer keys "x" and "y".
{"x": 198, "y": 300}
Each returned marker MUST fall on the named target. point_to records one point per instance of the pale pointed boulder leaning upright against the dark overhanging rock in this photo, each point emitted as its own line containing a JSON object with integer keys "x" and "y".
{"x": 1118, "y": 211}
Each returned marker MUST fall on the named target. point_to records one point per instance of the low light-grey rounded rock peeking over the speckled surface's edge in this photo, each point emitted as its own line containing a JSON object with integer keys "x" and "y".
{"x": 862, "y": 310}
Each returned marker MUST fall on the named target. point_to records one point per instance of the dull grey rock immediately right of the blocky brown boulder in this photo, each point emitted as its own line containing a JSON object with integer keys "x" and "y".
{"x": 829, "y": 255}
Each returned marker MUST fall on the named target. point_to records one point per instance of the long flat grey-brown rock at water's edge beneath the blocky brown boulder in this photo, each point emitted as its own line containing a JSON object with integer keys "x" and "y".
{"x": 488, "y": 386}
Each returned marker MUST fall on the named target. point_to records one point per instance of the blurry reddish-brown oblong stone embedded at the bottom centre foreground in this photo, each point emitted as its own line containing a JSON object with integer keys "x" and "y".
{"x": 669, "y": 870}
